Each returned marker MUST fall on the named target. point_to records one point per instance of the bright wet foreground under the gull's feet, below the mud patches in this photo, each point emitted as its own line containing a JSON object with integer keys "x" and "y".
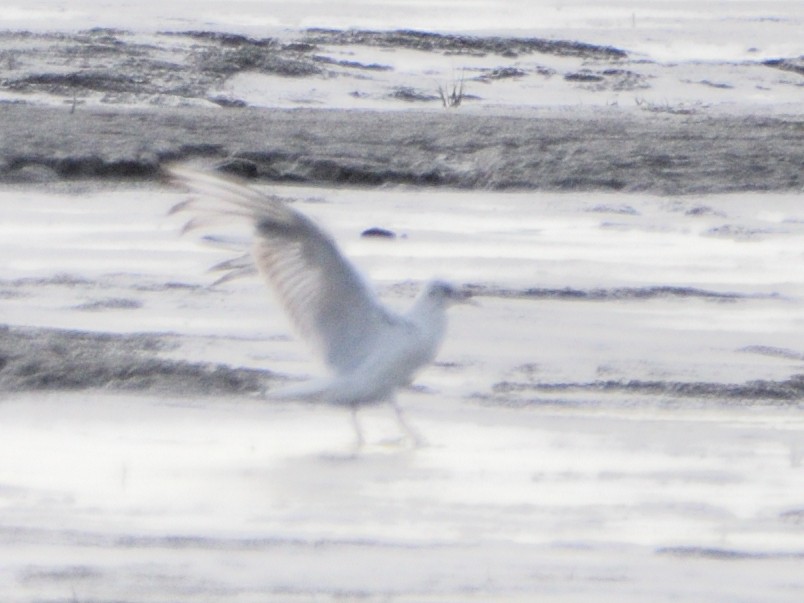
{"x": 208, "y": 499}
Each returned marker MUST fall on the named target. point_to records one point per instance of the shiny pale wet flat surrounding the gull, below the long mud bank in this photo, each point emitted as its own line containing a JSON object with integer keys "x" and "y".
{"x": 538, "y": 478}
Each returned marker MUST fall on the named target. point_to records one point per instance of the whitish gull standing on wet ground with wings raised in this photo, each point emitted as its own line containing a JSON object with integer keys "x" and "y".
{"x": 370, "y": 350}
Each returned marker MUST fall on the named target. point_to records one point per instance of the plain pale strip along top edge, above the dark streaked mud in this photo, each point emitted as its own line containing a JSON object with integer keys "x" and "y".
{"x": 673, "y": 30}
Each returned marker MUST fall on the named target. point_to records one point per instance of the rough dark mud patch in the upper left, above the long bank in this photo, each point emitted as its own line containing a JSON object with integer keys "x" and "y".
{"x": 122, "y": 70}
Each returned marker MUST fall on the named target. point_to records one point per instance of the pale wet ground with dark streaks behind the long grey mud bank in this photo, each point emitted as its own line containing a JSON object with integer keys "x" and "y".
{"x": 681, "y": 55}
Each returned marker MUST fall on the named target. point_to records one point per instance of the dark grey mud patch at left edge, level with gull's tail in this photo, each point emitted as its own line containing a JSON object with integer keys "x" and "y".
{"x": 51, "y": 359}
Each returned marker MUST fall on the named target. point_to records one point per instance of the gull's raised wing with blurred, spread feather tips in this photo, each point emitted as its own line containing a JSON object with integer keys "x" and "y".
{"x": 325, "y": 297}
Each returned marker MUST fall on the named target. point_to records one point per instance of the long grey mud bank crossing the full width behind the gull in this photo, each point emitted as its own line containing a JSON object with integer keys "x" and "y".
{"x": 591, "y": 152}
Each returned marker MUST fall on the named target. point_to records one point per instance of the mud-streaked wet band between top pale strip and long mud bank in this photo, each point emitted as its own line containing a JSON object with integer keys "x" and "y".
{"x": 389, "y": 71}
